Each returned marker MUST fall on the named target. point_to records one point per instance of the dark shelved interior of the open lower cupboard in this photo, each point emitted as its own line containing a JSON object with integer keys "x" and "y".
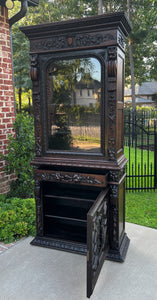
{"x": 65, "y": 211}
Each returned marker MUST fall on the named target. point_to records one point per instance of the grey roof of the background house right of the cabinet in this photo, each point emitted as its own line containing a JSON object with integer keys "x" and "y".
{"x": 147, "y": 88}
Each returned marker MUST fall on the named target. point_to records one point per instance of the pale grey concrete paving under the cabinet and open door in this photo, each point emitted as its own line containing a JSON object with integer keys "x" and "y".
{"x": 34, "y": 273}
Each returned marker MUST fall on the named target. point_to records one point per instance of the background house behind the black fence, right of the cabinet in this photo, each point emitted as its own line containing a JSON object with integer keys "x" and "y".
{"x": 145, "y": 94}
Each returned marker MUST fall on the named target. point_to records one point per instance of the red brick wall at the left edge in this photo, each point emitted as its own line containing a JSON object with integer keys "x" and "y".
{"x": 7, "y": 114}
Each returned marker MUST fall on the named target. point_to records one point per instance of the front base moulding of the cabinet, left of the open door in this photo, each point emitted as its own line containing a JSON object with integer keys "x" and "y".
{"x": 60, "y": 245}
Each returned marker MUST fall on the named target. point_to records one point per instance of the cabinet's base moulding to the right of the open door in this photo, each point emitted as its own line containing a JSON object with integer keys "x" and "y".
{"x": 120, "y": 254}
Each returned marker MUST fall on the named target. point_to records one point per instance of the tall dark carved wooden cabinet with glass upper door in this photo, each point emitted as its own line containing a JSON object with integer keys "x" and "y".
{"x": 77, "y": 70}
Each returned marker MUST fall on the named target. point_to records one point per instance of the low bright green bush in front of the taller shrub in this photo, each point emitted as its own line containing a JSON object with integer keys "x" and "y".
{"x": 17, "y": 218}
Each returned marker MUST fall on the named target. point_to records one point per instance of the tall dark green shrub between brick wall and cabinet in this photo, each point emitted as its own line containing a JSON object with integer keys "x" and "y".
{"x": 20, "y": 153}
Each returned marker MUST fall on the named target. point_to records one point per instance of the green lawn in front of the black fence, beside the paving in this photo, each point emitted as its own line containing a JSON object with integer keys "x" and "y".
{"x": 141, "y": 208}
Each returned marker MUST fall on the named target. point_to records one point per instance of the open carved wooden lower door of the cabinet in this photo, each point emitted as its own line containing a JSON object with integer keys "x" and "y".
{"x": 97, "y": 239}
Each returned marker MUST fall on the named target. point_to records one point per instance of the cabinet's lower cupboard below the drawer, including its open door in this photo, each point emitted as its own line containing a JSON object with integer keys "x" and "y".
{"x": 84, "y": 220}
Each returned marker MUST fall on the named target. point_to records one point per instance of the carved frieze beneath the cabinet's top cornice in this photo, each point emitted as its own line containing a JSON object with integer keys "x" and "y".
{"x": 73, "y": 41}
